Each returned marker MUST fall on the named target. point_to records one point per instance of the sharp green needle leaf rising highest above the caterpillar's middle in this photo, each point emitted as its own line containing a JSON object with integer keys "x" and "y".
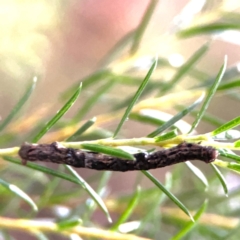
{"x": 135, "y": 98}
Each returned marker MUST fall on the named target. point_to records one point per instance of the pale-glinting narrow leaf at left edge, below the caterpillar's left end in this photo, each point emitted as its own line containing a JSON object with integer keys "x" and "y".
{"x": 17, "y": 191}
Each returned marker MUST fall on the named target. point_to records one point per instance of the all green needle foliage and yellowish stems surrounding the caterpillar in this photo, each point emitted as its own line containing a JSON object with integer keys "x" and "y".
{"x": 188, "y": 198}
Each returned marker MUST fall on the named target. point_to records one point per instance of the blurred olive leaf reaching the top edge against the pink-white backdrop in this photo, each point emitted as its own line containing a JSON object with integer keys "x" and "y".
{"x": 143, "y": 25}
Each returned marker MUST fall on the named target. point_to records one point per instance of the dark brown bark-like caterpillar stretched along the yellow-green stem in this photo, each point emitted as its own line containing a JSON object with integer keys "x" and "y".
{"x": 57, "y": 153}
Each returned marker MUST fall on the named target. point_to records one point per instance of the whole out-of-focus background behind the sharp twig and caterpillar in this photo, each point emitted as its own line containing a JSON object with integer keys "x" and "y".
{"x": 109, "y": 46}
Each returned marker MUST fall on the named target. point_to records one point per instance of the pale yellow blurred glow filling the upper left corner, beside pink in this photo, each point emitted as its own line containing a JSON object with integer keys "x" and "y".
{"x": 23, "y": 41}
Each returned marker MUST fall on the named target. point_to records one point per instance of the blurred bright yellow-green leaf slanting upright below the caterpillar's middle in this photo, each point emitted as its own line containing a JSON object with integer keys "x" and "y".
{"x": 128, "y": 211}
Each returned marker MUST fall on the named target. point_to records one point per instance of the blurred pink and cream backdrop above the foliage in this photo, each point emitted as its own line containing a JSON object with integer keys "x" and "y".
{"x": 65, "y": 41}
